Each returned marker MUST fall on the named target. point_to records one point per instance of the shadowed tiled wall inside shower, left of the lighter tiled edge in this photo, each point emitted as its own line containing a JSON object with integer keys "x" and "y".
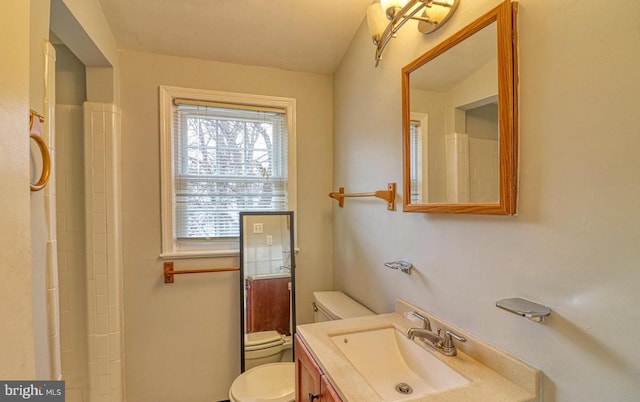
{"x": 70, "y": 214}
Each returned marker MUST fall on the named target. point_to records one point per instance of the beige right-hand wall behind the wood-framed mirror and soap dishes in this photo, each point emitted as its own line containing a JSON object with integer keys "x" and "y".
{"x": 574, "y": 244}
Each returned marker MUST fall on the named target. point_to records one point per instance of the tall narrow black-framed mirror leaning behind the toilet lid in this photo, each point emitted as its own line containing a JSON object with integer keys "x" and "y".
{"x": 267, "y": 287}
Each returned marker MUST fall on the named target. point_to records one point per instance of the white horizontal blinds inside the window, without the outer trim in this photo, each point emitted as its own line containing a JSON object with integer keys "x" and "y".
{"x": 227, "y": 158}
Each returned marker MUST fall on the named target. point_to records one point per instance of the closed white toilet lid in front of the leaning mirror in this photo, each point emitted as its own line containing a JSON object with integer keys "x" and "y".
{"x": 274, "y": 382}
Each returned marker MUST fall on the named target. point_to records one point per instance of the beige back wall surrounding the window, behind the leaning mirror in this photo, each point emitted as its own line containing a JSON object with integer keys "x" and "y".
{"x": 182, "y": 339}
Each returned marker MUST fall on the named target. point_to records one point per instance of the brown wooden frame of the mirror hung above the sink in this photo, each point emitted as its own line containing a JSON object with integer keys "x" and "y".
{"x": 504, "y": 18}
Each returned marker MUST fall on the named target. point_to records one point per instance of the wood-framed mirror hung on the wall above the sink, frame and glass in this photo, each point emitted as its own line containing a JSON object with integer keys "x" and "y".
{"x": 460, "y": 120}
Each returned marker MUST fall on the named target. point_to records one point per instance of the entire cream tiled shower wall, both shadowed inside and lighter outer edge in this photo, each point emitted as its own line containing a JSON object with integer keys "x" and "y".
{"x": 89, "y": 251}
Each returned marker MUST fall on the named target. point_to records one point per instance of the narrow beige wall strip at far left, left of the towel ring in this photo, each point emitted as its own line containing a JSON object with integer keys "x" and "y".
{"x": 17, "y": 359}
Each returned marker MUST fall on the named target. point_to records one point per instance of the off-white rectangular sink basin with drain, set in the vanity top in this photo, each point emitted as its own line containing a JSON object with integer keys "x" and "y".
{"x": 394, "y": 366}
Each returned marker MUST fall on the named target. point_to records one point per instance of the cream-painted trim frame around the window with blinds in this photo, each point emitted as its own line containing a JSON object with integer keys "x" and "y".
{"x": 171, "y": 247}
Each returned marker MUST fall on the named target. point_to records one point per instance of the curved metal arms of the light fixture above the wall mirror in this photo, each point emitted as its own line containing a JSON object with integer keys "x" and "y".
{"x": 400, "y": 16}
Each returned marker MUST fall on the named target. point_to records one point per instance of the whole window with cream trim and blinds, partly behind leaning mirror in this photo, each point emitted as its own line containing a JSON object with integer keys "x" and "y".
{"x": 222, "y": 153}
